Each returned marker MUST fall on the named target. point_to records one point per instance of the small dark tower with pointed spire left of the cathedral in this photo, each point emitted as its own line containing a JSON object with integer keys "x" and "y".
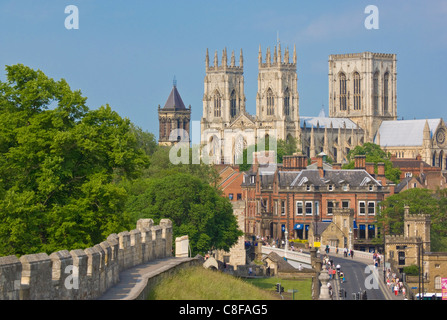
{"x": 174, "y": 120}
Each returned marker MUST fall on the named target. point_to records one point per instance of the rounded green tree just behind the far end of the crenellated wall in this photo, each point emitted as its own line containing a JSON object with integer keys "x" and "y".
{"x": 195, "y": 208}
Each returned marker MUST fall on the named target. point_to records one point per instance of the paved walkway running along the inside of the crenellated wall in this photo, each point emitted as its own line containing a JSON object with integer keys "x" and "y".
{"x": 134, "y": 280}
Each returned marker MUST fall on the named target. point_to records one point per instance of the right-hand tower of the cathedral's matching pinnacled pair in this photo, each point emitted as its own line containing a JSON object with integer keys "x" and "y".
{"x": 277, "y": 100}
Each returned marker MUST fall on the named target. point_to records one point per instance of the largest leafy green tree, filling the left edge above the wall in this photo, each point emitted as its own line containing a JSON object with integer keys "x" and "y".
{"x": 58, "y": 166}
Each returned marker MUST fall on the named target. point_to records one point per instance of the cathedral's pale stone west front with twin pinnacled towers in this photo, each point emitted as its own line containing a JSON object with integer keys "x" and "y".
{"x": 226, "y": 127}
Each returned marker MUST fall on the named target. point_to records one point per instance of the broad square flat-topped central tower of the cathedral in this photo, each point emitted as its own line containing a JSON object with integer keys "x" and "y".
{"x": 362, "y": 87}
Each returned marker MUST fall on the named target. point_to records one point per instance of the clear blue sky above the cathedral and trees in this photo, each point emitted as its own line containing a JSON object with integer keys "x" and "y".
{"x": 126, "y": 53}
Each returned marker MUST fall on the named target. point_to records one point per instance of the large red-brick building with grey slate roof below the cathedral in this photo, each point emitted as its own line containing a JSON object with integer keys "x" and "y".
{"x": 296, "y": 196}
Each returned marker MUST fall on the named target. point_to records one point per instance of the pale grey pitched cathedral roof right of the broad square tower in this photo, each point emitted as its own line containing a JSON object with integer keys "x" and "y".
{"x": 404, "y": 132}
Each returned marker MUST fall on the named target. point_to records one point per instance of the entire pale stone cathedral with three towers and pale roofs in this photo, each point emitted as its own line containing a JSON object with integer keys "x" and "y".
{"x": 362, "y": 108}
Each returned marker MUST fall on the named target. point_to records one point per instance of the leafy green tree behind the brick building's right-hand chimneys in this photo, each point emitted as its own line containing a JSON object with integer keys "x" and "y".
{"x": 375, "y": 154}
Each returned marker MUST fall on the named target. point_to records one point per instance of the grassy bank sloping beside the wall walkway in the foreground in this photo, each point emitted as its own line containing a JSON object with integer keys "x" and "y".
{"x": 198, "y": 283}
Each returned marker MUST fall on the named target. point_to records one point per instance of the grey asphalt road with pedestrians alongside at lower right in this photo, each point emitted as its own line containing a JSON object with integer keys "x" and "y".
{"x": 358, "y": 278}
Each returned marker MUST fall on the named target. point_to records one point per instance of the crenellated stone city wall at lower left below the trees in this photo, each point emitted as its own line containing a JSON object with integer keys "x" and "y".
{"x": 83, "y": 274}
